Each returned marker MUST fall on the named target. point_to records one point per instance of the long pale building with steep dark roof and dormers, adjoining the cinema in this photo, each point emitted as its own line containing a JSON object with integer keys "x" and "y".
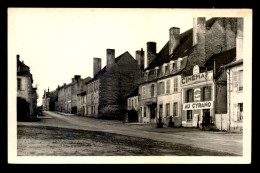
{"x": 159, "y": 89}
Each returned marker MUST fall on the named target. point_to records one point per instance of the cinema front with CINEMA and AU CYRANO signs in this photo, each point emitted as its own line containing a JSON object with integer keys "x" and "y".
{"x": 198, "y": 99}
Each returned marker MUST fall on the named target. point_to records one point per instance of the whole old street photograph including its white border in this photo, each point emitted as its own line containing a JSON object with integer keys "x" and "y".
{"x": 129, "y": 85}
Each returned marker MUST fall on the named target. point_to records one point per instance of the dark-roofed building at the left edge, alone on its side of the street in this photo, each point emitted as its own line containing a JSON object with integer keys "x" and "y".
{"x": 26, "y": 93}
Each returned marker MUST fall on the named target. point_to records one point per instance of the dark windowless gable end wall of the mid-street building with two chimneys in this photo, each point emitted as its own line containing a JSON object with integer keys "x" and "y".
{"x": 115, "y": 85}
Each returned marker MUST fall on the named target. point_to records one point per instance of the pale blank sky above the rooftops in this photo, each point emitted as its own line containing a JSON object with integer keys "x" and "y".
{"x": 58, "y": 43}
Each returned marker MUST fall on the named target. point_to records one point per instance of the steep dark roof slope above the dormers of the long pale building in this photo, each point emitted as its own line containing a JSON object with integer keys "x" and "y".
{"x": 182, "y": 50}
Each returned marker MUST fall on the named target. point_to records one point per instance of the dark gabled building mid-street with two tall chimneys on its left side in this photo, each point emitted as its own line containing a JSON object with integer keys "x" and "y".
{"x": 107, "y": 91}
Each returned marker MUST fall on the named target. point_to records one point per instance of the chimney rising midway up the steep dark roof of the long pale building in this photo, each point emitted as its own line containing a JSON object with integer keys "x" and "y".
{"x": 174, "y": 40}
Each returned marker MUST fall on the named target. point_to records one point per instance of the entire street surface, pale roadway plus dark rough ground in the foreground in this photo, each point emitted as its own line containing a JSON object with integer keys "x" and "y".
{"x": 66, "y": 134}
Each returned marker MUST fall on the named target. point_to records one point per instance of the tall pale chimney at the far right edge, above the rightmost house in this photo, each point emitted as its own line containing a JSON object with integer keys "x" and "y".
{"x": 239, "y": 38}
